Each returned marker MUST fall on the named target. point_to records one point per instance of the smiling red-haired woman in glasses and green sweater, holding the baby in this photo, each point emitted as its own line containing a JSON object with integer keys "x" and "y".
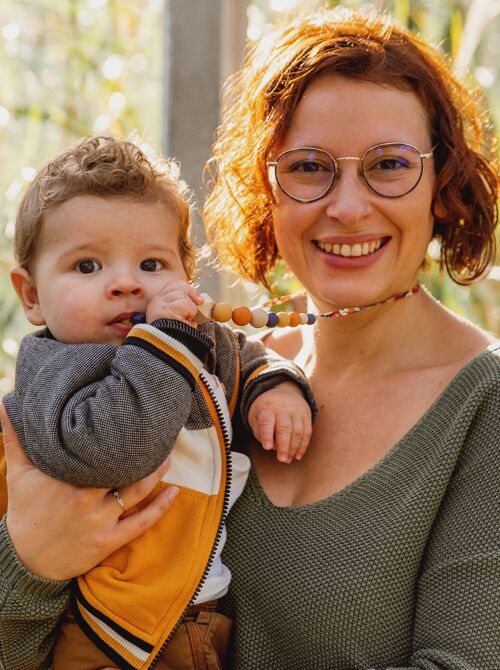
{"x": 348, "y": 147}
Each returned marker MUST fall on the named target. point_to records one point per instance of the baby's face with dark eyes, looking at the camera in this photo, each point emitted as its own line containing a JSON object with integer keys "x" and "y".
{"x": 99, "y": 261}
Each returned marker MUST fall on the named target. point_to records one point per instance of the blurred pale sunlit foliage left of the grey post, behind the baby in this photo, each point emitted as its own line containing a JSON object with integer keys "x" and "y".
{"x": 68, "y": 68}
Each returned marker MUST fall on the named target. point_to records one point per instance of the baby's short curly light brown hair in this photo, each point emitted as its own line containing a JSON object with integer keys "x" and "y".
{"x": 105, "y": 167}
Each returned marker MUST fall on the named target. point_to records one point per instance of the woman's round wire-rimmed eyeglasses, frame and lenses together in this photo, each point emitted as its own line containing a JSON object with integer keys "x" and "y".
{"x": 306, "y": 174}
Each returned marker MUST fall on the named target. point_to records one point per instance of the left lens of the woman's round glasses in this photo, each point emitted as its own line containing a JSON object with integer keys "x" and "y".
{"x": 305, "y": 174}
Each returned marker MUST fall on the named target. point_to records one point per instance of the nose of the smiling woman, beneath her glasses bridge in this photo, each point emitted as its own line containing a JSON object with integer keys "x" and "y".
{"x": 349, "y": 200}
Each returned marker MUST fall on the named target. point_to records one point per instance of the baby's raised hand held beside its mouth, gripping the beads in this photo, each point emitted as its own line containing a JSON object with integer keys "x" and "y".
{"x": 177, "y": 300}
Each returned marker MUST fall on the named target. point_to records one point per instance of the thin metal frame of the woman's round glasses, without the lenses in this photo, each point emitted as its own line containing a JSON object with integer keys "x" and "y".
{"x": 272, "y": 165}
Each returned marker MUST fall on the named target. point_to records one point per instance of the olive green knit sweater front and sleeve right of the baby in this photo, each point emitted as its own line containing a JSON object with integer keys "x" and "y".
{"x": 400, "y": 569}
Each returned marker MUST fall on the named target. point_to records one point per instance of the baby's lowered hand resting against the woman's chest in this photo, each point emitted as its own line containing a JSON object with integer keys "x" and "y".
{"x": 281, "y": 419}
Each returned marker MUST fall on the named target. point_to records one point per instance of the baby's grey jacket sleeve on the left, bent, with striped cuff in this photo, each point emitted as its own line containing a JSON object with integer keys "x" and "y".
{"x": 103, "y": 416}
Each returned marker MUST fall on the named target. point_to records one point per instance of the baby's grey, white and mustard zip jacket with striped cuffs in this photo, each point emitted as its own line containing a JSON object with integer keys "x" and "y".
{"x": 97, "y": 415}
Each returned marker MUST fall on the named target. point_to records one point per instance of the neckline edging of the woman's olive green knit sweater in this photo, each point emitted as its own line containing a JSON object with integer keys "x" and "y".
{"x": 444, "y": 396}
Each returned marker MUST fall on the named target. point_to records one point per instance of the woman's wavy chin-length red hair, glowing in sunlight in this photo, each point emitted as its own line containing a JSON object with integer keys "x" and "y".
{"x": 260, "y": 101}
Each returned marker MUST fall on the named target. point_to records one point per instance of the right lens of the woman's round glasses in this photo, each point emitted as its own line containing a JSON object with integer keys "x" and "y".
{"x": 392, "y": 169}
